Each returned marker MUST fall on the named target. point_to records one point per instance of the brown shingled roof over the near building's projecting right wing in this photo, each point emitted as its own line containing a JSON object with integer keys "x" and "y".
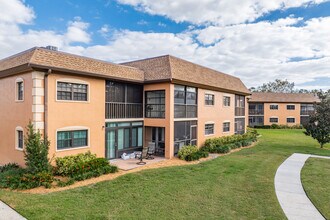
{"x": 179, "y": 70}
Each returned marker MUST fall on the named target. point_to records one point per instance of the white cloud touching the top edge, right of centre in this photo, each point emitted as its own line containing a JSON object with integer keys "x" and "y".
{"x": 220, "y": 12}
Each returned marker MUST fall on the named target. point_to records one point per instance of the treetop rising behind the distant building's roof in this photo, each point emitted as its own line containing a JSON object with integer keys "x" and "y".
{"x": 276, "y": 86}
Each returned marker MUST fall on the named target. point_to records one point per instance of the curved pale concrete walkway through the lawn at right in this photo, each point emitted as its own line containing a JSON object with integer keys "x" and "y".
{"x": 290, "y": 192}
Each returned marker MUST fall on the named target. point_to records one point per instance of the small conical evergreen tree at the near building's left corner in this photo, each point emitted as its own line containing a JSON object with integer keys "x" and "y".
{"x": 36, "y": 151}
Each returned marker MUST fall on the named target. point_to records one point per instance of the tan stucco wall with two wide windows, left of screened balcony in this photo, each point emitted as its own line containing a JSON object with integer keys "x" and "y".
{"x": 89, "y": 114}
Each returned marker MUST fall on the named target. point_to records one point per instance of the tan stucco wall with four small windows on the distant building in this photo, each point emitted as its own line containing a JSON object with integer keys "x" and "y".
{"x": 282, "y": 113}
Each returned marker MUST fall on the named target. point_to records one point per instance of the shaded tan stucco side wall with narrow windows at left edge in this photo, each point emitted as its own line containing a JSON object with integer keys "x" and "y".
{"x": 12, "y": 115}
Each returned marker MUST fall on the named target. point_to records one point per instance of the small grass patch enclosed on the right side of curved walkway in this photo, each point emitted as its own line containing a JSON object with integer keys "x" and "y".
{"x": 316, "y": 181}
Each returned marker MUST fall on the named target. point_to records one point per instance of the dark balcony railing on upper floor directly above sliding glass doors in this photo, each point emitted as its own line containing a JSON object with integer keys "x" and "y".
{"x": 123, "y": 110}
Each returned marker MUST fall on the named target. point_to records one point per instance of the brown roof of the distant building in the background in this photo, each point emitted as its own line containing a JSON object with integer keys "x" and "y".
{"x": 283, "y": 97}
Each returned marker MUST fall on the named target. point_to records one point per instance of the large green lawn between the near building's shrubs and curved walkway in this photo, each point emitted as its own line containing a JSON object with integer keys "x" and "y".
{"x": 237, "y": 186}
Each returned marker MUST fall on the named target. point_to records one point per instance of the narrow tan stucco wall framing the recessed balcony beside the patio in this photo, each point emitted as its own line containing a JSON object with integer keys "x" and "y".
{"x": 166, "y": 122}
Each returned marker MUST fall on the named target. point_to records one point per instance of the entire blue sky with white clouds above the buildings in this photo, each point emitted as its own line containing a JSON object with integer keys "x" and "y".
{"x": 256, "y": 40}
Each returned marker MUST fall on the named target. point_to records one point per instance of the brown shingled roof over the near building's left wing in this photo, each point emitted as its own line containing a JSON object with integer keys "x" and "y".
{"x": 48, "y": 59}
